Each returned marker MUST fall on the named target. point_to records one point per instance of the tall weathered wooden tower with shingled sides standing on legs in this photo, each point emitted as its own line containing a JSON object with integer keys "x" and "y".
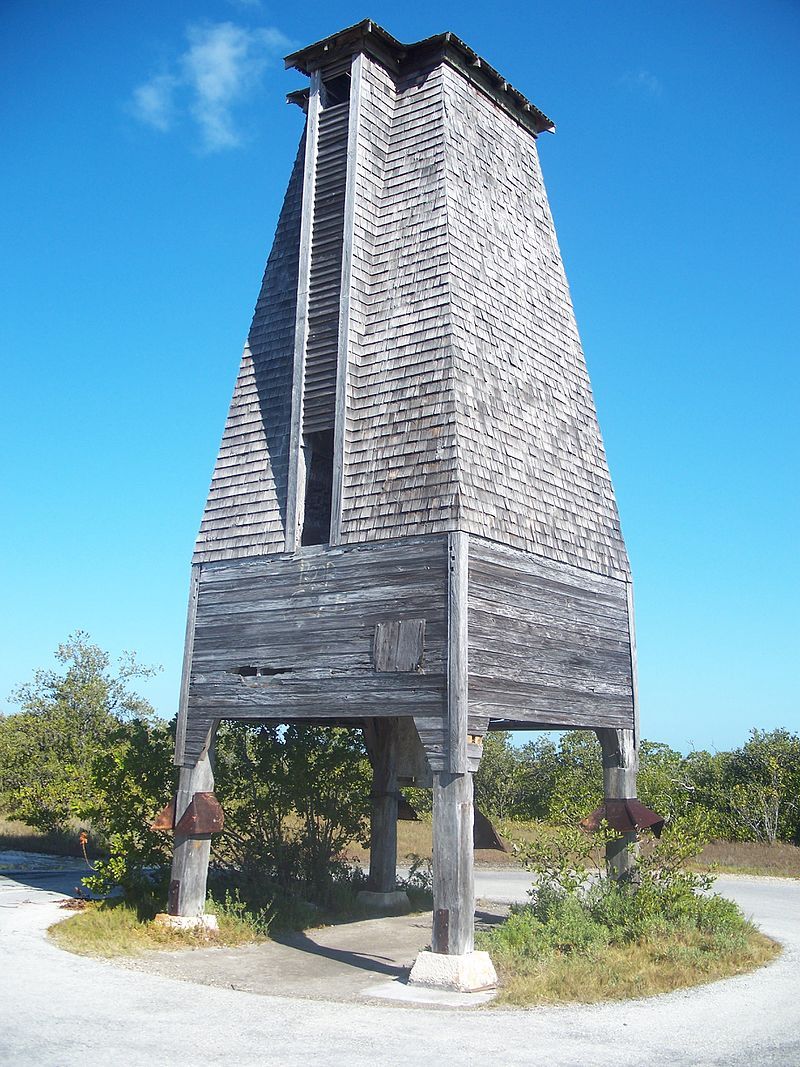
{"x": 411, "y": 525}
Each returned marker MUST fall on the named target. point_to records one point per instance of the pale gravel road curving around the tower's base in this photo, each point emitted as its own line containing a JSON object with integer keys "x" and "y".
{"x": 57, "y": 1009}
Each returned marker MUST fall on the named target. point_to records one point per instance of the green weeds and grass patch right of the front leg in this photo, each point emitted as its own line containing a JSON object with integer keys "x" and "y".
{"x": 614, "y": 945}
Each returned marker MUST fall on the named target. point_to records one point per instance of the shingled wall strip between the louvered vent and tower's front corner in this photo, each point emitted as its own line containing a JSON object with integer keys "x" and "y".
{"x": 401, "y": 475}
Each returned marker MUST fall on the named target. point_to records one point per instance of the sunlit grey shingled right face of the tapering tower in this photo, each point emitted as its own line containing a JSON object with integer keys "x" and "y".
{"x": 532, "y": 464}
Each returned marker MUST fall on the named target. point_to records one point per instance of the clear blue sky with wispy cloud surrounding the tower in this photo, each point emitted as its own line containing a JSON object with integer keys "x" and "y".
{"x": 148, "y": 148}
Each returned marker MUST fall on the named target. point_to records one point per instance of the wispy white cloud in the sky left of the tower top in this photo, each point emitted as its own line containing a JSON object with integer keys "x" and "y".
{"x": 221, "y": 67}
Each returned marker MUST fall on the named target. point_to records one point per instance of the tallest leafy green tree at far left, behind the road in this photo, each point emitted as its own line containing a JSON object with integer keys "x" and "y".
{"x": 68, "y": 718}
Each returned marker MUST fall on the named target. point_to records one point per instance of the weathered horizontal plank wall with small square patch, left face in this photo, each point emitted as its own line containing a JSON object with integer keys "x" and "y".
{"x": 286, "y": 638}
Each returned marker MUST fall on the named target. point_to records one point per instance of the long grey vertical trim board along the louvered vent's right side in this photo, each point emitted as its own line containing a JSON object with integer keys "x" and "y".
{"x": 347, "y": 283}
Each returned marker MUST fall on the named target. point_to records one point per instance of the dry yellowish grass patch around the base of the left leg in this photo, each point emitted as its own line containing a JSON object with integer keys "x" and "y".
{"x": 110, "y": 930}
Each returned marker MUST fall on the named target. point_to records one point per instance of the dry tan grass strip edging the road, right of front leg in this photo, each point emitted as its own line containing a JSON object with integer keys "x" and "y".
{"x": 622, "y": 973}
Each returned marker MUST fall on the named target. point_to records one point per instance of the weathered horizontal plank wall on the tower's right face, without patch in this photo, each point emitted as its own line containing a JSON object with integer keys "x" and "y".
{"x": 549, "y": 643}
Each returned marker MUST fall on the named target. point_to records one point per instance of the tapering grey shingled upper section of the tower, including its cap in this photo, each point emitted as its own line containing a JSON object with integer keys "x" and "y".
{"x": 466, "y": 400}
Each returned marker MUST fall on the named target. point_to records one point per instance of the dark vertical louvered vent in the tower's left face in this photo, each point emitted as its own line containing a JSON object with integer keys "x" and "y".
{"x": 319, "y": 391}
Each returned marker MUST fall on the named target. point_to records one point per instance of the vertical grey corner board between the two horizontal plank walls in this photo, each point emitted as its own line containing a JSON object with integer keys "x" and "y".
{"x": 458, "y": 663}
